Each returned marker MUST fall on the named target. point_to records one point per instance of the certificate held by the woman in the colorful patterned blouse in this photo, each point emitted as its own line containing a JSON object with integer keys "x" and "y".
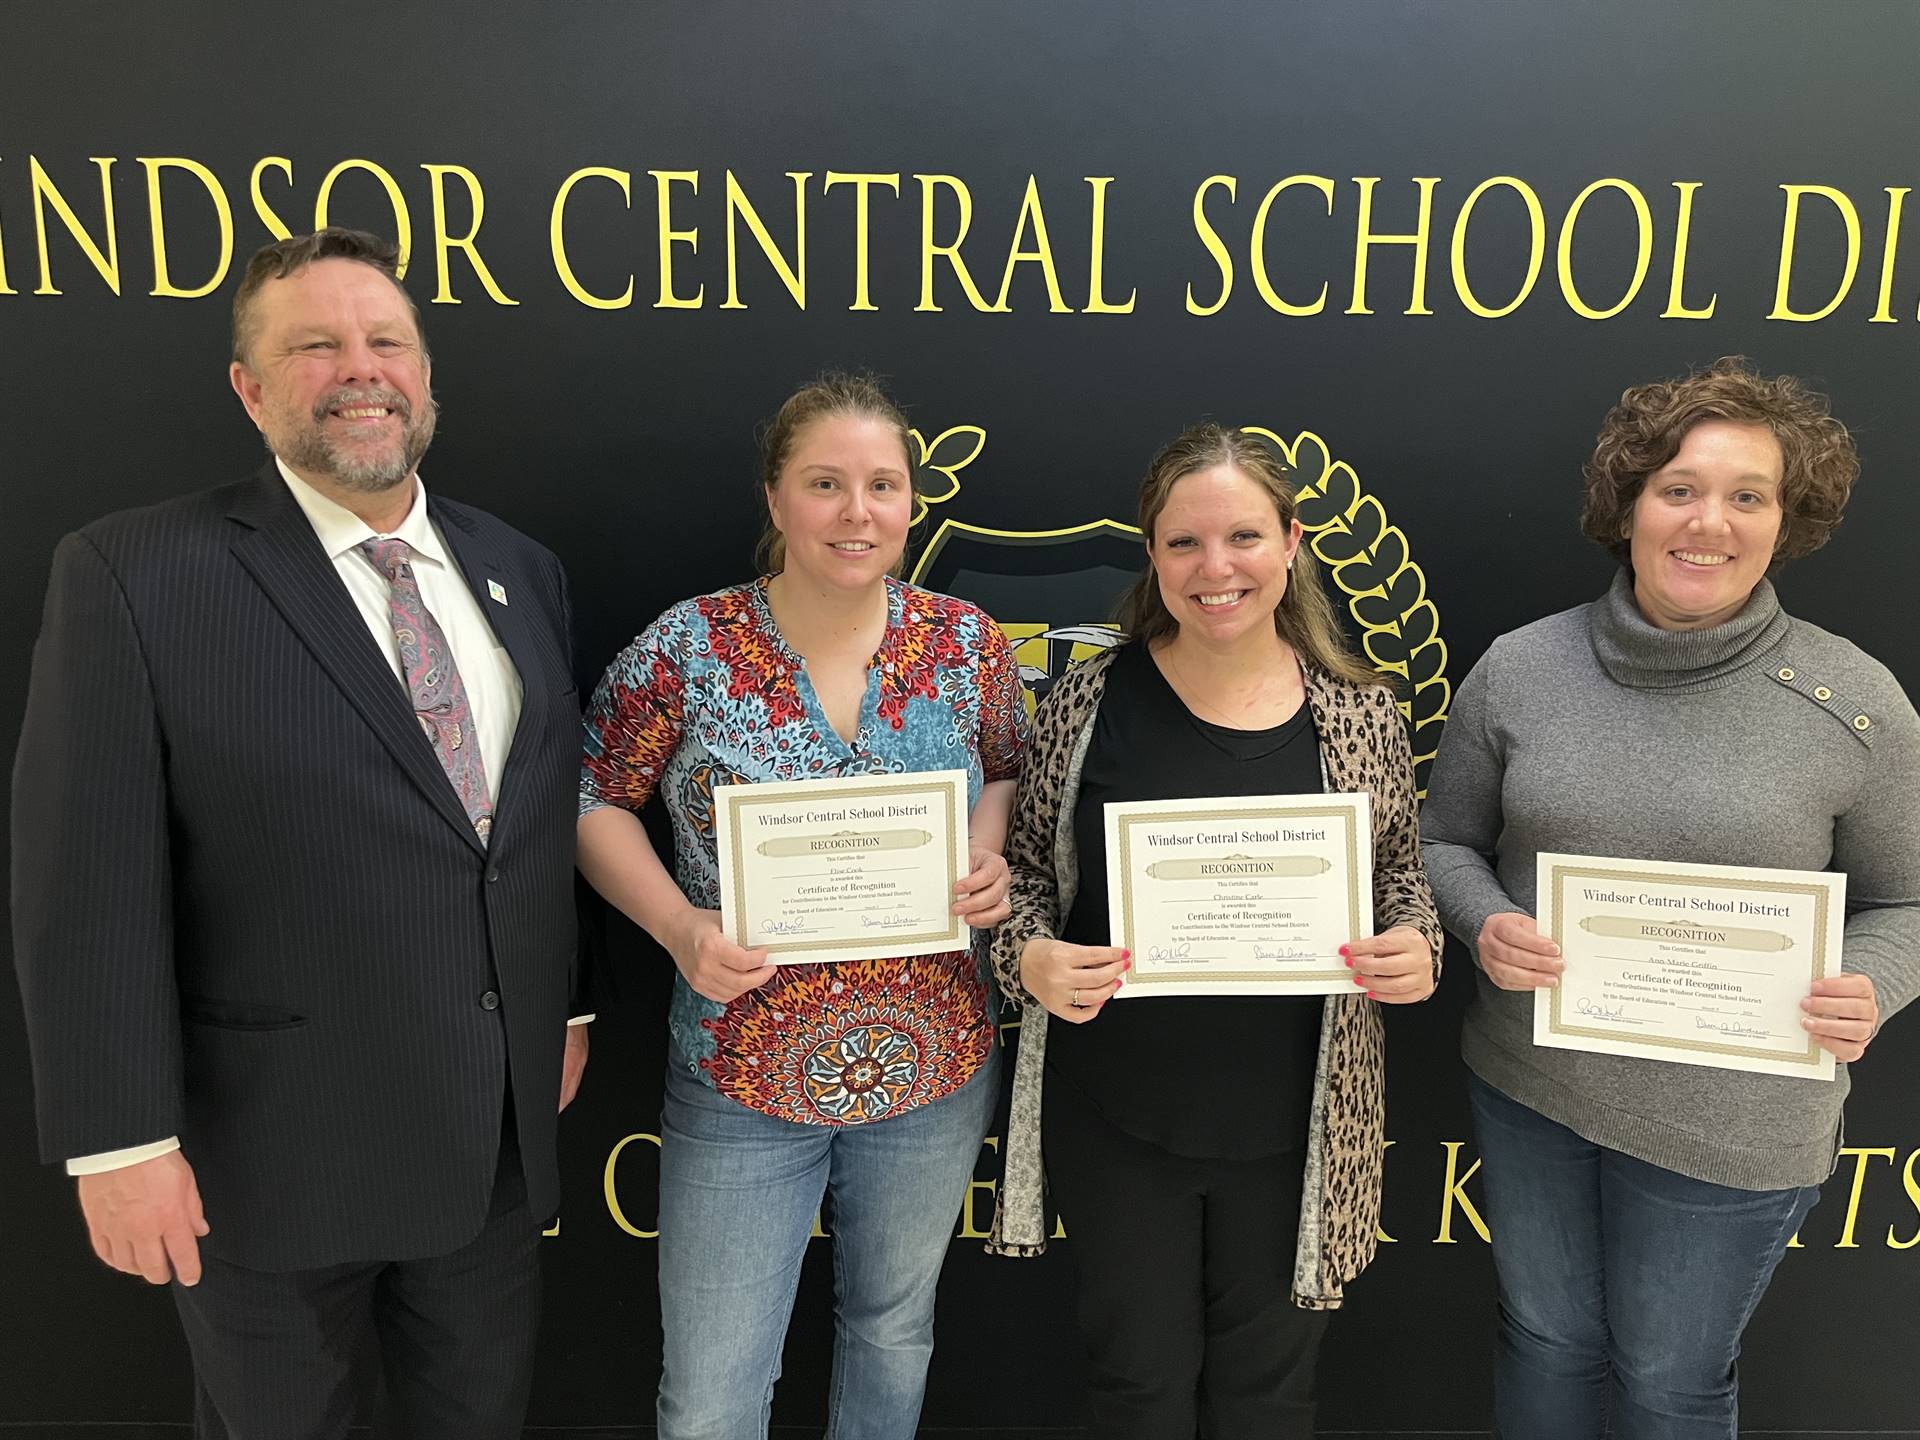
{"x": 857, "y": 869}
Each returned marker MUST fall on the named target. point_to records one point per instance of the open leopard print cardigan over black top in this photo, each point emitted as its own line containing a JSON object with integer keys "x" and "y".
{"x": 1364, "y": 748}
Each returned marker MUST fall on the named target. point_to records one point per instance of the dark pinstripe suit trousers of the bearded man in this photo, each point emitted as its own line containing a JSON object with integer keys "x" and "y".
{"x": 276, "y": 1353}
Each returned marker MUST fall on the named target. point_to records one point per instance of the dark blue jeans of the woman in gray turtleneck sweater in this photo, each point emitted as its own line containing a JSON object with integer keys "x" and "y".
{"x": 1623, "y": 1285}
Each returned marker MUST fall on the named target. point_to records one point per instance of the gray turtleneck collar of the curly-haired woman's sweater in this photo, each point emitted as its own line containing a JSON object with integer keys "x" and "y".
{"x": 1646, "y": 658}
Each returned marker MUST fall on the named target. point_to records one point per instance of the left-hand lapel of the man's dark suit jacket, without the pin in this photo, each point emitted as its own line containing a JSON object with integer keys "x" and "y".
{"x": 281, "y": 552}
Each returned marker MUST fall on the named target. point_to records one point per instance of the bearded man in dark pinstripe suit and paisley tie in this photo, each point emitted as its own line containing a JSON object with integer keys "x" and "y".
{"x": 293, "y": 888}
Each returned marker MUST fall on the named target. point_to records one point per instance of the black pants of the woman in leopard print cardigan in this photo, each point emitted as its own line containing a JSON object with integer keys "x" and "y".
{"x": 1184, "y": 1284}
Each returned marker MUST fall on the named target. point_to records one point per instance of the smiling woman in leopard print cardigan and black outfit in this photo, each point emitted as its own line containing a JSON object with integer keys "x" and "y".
{"x": 1362, "y": 746}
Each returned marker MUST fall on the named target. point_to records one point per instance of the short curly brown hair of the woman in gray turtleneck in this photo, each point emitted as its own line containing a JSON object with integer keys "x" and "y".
{"x": 1644, "y": 431}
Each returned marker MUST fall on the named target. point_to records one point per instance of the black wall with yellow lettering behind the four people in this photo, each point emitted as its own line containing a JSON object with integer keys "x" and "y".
{"x": 625, "y": 441}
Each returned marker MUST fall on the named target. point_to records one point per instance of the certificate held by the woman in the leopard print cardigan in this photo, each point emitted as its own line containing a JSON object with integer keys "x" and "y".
{"x": 1243, "y": 896}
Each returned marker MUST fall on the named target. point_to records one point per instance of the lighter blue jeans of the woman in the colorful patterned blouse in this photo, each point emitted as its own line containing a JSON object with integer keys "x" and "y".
{"x": 738, "y": 1199}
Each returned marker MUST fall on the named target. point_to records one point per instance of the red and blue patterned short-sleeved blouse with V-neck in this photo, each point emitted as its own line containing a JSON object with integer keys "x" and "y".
{"x": 711, "y": 694}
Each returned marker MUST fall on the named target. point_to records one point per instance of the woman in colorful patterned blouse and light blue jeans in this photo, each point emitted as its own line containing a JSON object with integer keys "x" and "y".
{"x": 867, "y": 1082}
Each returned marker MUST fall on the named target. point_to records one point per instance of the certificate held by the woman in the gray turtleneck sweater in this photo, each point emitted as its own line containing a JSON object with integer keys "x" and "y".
{"x": 1700, "y": 965}
